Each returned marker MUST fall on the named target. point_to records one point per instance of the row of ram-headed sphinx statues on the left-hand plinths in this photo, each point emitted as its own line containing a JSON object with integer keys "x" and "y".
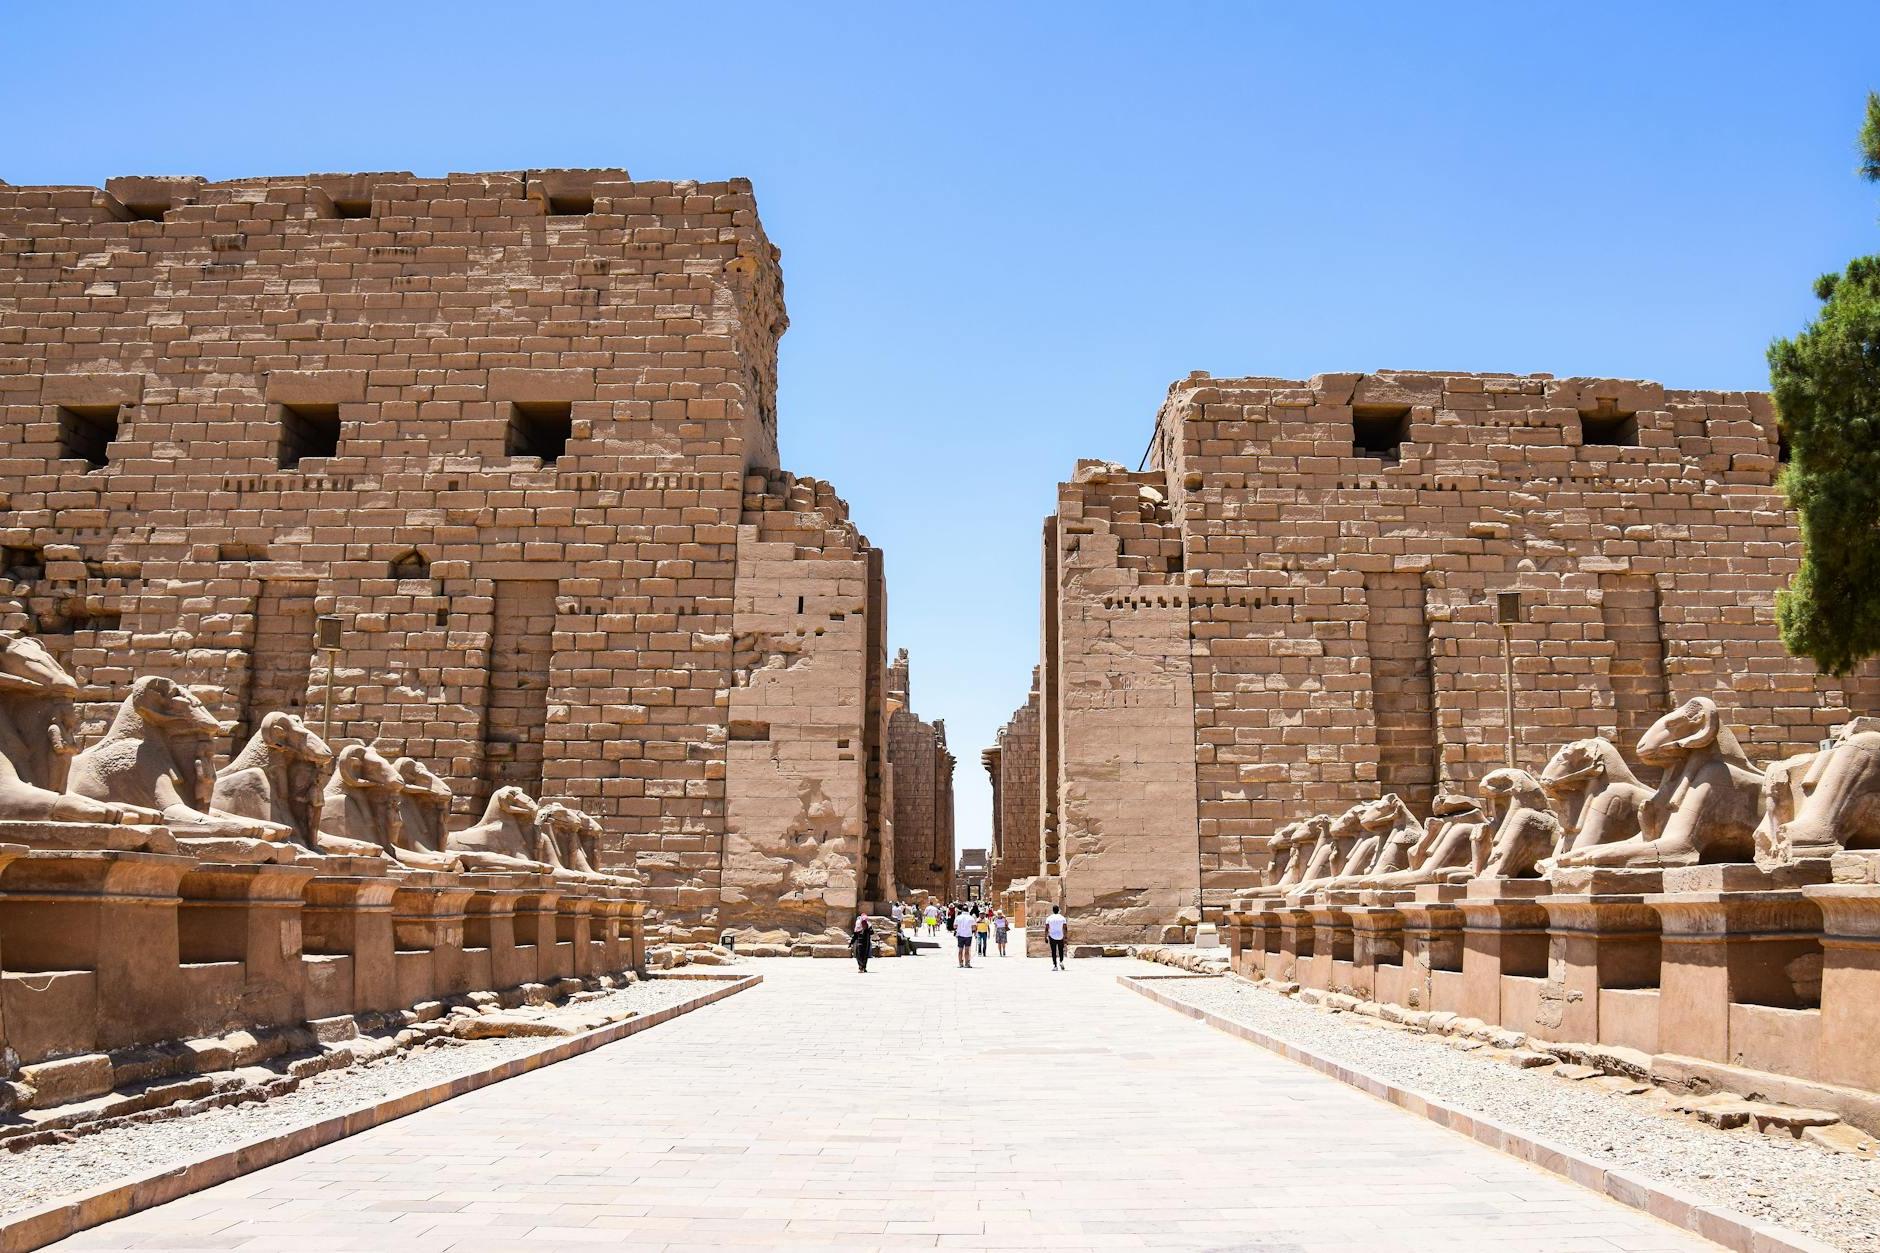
{"x": 151, "y": 785}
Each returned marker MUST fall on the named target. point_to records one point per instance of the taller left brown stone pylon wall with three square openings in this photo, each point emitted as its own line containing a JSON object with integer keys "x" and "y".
{"x": 520, "y": 434}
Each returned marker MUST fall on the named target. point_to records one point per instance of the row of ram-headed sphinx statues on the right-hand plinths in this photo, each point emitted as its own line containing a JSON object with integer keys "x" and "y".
{"x": 1590, "y": 810}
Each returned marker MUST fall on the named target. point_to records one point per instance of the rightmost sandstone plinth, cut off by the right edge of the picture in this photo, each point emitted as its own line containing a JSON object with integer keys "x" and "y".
{"x": 1851, "y": 983}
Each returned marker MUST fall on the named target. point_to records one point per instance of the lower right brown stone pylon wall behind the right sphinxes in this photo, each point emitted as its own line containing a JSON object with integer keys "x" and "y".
{"x": 1294, "y": 609}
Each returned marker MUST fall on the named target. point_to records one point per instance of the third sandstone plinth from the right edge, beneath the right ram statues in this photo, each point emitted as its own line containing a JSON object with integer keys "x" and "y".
{"x": 1603, "y": 945}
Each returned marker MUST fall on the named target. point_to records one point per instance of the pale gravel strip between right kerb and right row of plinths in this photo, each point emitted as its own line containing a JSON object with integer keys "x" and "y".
{"x": 1828, "y": 1196}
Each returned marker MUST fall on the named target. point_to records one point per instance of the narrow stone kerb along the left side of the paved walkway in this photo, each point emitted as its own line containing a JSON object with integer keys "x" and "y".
{"x": 63, "y": 1218}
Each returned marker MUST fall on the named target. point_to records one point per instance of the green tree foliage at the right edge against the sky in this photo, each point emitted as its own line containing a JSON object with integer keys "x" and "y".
{"x": 1826, "y": 387}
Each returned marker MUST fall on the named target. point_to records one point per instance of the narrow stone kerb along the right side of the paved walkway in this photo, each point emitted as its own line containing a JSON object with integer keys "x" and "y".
{"x": 1663, "y": 1201}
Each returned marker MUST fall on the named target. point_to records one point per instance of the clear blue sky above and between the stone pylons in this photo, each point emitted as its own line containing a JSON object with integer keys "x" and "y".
{"x": 1007, "y": 229}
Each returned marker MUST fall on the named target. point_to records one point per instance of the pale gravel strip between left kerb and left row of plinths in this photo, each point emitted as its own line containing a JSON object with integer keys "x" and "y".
{"x": 42, "y": 1175}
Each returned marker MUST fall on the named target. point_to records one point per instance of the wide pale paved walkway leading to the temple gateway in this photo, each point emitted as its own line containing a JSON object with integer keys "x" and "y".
{"x": 918, "y": 1107}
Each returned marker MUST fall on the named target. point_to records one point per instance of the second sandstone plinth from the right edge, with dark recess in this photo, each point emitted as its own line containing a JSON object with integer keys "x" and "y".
{"x": 1742, "y": 966}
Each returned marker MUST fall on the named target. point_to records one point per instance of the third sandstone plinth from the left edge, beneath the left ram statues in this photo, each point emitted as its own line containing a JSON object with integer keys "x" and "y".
{"x": 347, "y": 938}
